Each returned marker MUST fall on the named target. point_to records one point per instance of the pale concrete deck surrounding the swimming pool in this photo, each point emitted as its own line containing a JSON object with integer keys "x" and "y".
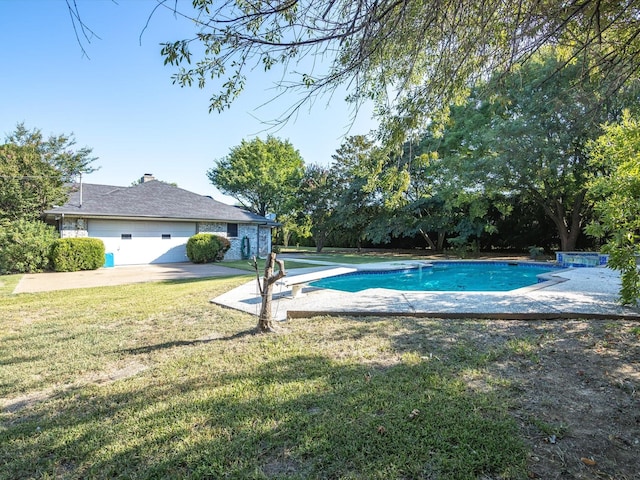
{"x": 572, "y": 293}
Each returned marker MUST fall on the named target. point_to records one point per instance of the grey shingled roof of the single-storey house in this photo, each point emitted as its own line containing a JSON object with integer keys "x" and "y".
{"x": 150, "y": 200}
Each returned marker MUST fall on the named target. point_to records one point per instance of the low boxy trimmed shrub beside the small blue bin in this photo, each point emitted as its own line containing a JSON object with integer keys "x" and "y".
{"x": 73, "y": 254}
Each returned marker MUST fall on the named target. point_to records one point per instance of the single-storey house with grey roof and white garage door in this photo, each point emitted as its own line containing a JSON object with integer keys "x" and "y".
{"x": 152, "y": 221}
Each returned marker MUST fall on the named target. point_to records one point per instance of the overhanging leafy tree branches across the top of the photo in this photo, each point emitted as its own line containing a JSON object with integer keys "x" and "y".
{"x": 411, "y": 58}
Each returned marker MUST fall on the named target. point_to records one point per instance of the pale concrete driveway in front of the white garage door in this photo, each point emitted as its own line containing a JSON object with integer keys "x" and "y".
{"x": 44, "y": 282}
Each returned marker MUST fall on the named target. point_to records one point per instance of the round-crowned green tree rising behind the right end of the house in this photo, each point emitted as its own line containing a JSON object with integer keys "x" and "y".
{"x": 263, "y": 176}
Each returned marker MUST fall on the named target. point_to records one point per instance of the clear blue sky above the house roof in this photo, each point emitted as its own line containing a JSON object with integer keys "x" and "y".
{"x": 121, "y": 102}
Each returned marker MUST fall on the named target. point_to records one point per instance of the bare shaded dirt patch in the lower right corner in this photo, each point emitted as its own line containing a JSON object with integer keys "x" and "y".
{"x": 576, "y": 395}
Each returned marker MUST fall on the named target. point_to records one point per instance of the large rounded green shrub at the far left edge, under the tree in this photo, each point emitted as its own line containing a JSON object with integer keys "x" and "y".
{"x": 25, "y": 246}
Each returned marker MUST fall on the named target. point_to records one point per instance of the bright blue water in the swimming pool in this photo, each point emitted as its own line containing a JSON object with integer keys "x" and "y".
{"x": 442, "y": 277}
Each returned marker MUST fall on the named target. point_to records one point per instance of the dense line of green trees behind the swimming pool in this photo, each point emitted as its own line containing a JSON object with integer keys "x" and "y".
{"x": 509, "y": 170}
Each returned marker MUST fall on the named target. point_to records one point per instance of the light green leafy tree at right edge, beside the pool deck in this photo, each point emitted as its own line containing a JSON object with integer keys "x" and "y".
{"x": 615, "y": 189}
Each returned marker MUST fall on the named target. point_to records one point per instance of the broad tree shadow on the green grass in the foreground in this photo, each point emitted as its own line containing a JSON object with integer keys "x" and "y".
{"x": 297, "y": 416}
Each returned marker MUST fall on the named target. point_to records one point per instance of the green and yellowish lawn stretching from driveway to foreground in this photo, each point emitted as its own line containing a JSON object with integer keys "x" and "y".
{"x": 153, "y": 381}
